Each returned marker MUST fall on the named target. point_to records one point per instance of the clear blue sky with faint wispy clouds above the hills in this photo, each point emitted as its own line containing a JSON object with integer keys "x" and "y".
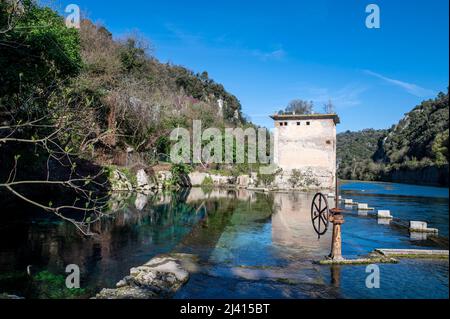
{"x": 270, "y": 52}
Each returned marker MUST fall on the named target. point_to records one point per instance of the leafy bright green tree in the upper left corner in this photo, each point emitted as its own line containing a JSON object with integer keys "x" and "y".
{"x": 37, "y": 50}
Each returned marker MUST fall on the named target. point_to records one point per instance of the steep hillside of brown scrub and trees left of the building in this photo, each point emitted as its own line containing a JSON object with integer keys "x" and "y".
{"x": 73, "y": 101}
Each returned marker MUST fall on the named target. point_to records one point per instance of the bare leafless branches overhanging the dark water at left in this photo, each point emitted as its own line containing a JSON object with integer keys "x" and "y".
{"x": 89, "y": 200}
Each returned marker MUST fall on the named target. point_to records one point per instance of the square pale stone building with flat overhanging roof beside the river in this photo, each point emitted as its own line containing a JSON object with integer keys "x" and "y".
{"x": 305, "y": 145}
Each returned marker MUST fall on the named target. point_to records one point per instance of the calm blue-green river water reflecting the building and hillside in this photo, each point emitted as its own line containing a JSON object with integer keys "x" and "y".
{"x": 249, "y": 245}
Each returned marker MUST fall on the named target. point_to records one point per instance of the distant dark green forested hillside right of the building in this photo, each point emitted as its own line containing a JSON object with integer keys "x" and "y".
{"x": 419, "y": 141}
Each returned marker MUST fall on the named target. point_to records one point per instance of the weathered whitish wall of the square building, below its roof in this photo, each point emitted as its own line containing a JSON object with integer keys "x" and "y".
{"x": 308, "y": 148}
